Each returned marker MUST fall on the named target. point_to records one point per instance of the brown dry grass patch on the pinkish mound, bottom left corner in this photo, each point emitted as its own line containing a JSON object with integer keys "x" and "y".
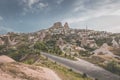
{"x": 14, "y": 71}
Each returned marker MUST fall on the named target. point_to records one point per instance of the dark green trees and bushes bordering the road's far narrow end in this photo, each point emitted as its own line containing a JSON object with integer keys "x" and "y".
{"x": 50, "y": 47}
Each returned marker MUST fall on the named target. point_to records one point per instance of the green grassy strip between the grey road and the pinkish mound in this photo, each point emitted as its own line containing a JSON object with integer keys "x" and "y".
{"x": 63, "y": 72}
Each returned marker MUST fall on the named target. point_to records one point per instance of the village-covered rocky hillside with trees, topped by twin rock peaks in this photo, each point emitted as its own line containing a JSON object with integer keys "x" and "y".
{"x": 62, "y": 40}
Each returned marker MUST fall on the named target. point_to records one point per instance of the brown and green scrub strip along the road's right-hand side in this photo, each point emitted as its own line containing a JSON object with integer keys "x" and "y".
{"x": 111, "y": 66}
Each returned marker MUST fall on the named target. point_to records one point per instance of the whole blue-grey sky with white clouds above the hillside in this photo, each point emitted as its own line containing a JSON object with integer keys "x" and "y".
{"x": 34, "y": 15}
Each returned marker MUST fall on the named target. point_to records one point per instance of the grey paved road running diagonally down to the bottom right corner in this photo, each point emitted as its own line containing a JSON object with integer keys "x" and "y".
{"x": 83, "y": 66}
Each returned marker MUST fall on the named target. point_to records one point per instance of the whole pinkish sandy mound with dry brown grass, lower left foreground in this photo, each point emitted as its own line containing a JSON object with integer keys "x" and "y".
{"x": 20, "y": 71}
